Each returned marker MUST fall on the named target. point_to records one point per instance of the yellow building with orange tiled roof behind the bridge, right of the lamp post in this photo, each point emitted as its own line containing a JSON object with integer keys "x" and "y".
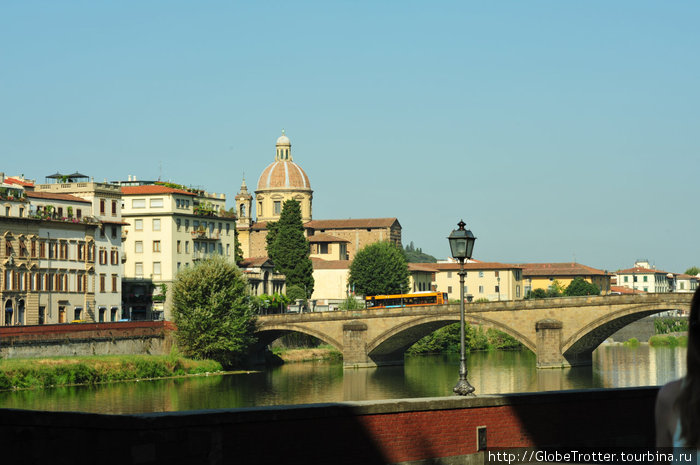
{"x": 543, "y": 275}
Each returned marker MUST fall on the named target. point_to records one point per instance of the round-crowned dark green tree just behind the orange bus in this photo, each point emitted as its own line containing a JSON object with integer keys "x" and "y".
{"x": 379, "y": 268}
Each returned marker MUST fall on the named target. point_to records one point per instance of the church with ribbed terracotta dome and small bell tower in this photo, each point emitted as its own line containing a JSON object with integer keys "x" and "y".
{"x": 283, "y": 180}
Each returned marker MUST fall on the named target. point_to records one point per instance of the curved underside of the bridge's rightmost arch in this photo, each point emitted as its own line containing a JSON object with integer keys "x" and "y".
{"x": 590, "y": 336}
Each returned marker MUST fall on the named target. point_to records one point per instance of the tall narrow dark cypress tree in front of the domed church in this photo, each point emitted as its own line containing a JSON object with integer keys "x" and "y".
{"x": 288, "y": 248}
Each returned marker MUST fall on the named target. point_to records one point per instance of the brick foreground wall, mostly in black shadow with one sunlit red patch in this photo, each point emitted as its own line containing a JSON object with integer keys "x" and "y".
{"x": 372, "y": 432}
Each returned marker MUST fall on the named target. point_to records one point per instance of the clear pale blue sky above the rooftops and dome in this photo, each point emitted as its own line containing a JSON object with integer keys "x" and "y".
{"x": 556, "y": 130}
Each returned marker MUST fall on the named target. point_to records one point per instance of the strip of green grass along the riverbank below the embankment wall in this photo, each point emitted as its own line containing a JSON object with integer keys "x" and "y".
{"x": 63, "y": 371}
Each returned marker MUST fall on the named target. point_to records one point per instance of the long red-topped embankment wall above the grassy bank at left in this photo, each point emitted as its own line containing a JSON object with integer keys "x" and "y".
{"x": 126, "y": 338}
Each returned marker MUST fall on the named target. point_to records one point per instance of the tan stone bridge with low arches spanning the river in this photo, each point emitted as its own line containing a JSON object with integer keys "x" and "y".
{"x": 560, "y": 331}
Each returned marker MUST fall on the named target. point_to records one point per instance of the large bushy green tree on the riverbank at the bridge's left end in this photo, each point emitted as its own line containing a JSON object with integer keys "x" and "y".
{"x": 212, "y": 312}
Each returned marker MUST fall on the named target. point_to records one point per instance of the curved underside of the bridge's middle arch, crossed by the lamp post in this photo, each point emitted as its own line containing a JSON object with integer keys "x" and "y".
{"x": 391, "y": 344}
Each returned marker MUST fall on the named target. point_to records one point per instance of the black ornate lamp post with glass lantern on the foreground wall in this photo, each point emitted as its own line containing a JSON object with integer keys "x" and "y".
{"x": 462, "y": 245}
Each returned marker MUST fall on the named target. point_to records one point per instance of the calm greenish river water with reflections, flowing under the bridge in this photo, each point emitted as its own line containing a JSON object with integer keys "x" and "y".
{"x": 497, "y": 372}
